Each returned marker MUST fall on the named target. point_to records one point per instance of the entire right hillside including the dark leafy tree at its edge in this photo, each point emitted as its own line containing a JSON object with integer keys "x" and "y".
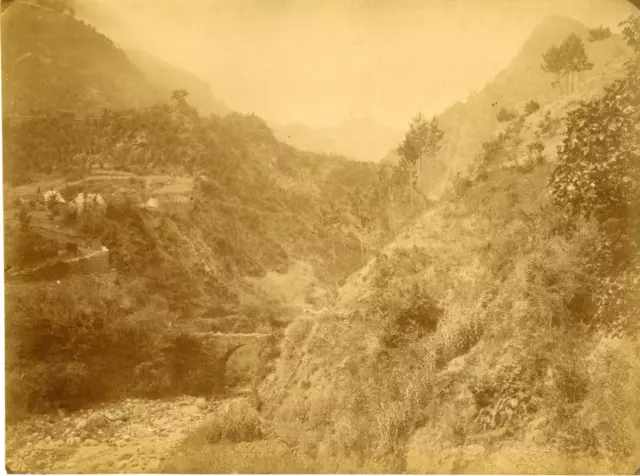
{"x": 500, "y": 333}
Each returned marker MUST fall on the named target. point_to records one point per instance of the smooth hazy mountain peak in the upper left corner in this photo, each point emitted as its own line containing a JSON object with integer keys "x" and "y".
{"x": 53, "y": 62}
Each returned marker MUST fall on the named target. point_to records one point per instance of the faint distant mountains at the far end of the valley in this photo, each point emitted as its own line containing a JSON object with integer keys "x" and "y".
{"x": 363, "y": 139}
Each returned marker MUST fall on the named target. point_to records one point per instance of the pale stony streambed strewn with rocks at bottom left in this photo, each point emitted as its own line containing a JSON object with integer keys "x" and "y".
{"x": 132, "y": 436}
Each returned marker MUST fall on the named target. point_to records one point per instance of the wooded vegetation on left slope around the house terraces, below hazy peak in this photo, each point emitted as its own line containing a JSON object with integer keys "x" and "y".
{"x": 257, "y": 206}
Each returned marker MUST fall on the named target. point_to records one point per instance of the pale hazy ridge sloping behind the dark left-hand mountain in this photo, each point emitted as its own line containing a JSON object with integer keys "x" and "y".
{"x": 167, "y": 78}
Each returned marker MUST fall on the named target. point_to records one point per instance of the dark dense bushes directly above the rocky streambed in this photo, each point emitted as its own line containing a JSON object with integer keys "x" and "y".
{"x": 68, "y": 346}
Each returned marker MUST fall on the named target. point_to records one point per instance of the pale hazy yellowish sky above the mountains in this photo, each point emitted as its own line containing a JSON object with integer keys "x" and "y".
{"x": 321, "y": 62}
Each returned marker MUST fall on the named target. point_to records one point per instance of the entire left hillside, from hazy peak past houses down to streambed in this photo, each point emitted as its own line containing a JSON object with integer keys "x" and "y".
{"x": 141, "y": 224}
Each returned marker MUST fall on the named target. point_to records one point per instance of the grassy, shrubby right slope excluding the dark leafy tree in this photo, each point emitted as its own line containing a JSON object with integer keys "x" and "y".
{"x": 510, "y": 379}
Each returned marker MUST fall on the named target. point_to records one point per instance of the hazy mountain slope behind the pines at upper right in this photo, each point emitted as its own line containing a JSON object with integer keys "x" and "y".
{"x": 468, "y": 124}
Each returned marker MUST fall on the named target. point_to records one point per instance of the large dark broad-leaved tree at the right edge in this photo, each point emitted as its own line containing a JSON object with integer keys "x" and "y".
{"x": 598, "y": 171}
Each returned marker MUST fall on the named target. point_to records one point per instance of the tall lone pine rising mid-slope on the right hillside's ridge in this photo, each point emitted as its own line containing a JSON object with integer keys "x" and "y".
{"x": 421, "y": 141}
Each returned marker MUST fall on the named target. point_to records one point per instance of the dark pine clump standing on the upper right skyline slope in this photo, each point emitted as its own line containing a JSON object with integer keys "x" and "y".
{"x": 566, "y": 60}
